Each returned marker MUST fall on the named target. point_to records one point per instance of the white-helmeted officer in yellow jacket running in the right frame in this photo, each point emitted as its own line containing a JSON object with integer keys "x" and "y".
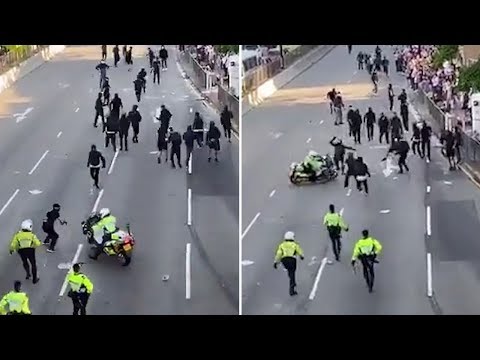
{"x": 286, "y": 254}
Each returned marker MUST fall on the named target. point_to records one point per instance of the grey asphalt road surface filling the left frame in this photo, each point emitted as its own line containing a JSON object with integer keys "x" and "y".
{"x": 149, "y": 196}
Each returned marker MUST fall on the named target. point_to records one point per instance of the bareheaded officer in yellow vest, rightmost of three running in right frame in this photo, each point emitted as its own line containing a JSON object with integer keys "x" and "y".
{"x": 366, "y": 250}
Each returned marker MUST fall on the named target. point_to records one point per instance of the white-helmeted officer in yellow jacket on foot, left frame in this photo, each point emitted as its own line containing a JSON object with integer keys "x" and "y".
{"x": 25, "y": 242}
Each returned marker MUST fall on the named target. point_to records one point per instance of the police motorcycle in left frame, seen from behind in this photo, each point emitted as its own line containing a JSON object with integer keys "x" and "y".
{"x": 120, "y": 244}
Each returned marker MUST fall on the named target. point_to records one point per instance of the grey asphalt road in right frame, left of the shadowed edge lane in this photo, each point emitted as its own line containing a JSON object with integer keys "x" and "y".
{"x": 282, "y": 130}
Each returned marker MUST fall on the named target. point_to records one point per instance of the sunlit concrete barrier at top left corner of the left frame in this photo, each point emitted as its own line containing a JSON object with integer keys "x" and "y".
{"x": 26, "y": 67}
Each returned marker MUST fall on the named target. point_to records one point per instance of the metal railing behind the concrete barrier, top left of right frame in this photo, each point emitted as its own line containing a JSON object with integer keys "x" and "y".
{"x": 259, "y": 75}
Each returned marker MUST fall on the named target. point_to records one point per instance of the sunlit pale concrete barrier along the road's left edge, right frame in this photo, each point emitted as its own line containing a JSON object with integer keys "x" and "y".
{"x": 267, "y": 89}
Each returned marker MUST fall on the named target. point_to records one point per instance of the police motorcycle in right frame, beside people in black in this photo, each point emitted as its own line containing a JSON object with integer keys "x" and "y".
{"x": 327, "y": 173}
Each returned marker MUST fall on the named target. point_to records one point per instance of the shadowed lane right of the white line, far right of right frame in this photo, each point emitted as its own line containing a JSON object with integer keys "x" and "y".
{"x": 455, "y": 250}
